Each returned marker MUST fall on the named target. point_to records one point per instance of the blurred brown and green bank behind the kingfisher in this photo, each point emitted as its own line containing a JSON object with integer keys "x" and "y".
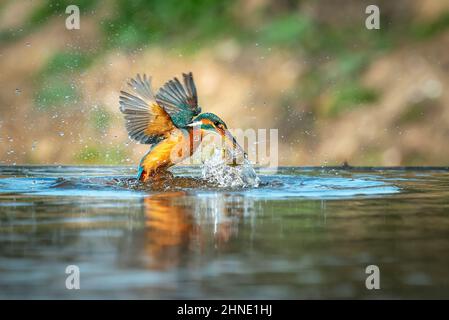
{"x": 336, "y": 91}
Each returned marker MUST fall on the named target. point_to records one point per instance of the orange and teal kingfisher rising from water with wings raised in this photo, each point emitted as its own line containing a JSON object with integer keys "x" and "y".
{"x": 171, "y": 122}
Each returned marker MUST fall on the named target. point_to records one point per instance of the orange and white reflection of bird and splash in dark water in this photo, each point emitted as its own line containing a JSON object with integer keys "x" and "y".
{"x": 177, "y": 224}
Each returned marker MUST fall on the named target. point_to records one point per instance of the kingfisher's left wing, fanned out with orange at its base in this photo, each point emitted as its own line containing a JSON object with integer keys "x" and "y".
{"x": 146, "y": 121}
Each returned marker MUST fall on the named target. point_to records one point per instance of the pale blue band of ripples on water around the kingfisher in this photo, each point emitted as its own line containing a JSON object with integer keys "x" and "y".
{"x": 283, "y": 184}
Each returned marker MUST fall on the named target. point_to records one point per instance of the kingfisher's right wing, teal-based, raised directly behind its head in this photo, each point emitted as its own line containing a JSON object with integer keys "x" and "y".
{"x": 179, "y": 101}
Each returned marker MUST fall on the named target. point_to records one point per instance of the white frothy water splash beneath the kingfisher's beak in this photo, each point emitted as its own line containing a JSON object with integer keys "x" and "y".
{"x": 216, "y": 170}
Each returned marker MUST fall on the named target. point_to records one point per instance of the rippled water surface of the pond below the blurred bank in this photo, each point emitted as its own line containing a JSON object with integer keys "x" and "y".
{"x": 303, "y": 233}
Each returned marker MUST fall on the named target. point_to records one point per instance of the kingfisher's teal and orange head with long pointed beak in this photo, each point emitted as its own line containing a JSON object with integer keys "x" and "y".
{"x": 209, "y": 122}
